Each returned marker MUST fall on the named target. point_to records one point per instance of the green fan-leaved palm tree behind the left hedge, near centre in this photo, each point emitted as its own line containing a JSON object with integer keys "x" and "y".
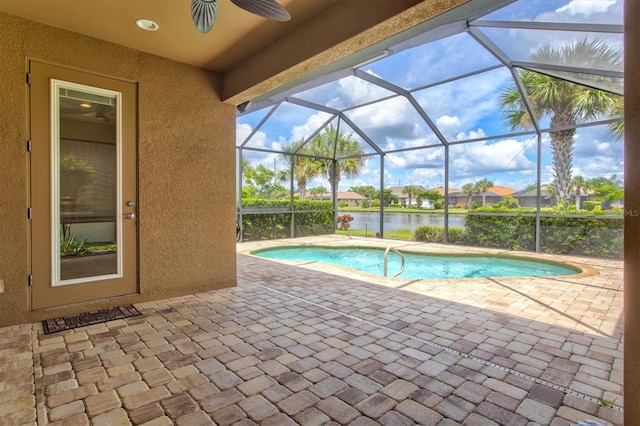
{"x": 338, "y": 154}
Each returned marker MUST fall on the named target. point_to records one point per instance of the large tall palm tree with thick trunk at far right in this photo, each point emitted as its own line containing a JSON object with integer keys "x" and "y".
{"x": 566, "y": 103}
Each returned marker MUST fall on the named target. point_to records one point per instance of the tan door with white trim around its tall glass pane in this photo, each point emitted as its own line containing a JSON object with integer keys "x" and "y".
{"x": 44, "y": 294}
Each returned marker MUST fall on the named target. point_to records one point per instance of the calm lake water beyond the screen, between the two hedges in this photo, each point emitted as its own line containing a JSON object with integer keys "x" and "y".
{"x": 395, "y": 221}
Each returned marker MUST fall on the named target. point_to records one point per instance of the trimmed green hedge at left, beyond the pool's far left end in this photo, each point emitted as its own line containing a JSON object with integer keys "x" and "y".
{"x": 312, "y": 217}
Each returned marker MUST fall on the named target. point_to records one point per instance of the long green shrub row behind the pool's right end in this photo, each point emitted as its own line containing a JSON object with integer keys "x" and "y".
{"x": 581, "y": 236}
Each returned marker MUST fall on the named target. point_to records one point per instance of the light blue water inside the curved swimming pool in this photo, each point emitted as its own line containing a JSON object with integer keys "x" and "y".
{"x": 420, "y": 266}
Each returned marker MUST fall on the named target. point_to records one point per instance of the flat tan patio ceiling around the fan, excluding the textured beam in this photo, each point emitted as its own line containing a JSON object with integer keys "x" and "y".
{"x": 236, "y": 34}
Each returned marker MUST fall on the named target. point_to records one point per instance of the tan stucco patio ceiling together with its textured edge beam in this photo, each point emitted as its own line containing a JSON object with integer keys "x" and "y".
{"x": 254, "y": 55}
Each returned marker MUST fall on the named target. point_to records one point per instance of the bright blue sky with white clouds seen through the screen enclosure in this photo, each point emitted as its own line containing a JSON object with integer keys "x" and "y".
{"x": 463, "y": 109}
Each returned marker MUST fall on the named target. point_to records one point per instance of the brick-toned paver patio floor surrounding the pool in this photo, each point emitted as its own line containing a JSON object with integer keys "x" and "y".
{"x": 314, "y": 344}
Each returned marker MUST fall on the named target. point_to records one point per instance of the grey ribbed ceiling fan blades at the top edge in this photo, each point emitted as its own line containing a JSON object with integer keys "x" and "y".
{"x": 204, "y": 12}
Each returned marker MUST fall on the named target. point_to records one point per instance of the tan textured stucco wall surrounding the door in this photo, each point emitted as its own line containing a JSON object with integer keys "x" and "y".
{"x": 186, "y": 150}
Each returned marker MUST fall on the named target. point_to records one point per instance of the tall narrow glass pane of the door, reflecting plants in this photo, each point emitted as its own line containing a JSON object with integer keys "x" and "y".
{"x": 86, "y": 188}
